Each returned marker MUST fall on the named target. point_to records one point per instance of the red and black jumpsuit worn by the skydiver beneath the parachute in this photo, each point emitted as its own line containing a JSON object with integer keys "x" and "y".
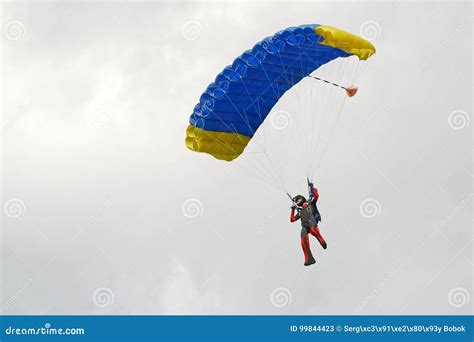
{"x": 310, "y": 218}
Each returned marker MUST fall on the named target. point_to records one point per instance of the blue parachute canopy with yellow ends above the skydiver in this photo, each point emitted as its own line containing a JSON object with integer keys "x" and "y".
{"x": 233, "y": 107}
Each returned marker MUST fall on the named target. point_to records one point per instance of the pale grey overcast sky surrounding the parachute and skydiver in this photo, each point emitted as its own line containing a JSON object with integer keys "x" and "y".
{"x": 105, "y": 211}
